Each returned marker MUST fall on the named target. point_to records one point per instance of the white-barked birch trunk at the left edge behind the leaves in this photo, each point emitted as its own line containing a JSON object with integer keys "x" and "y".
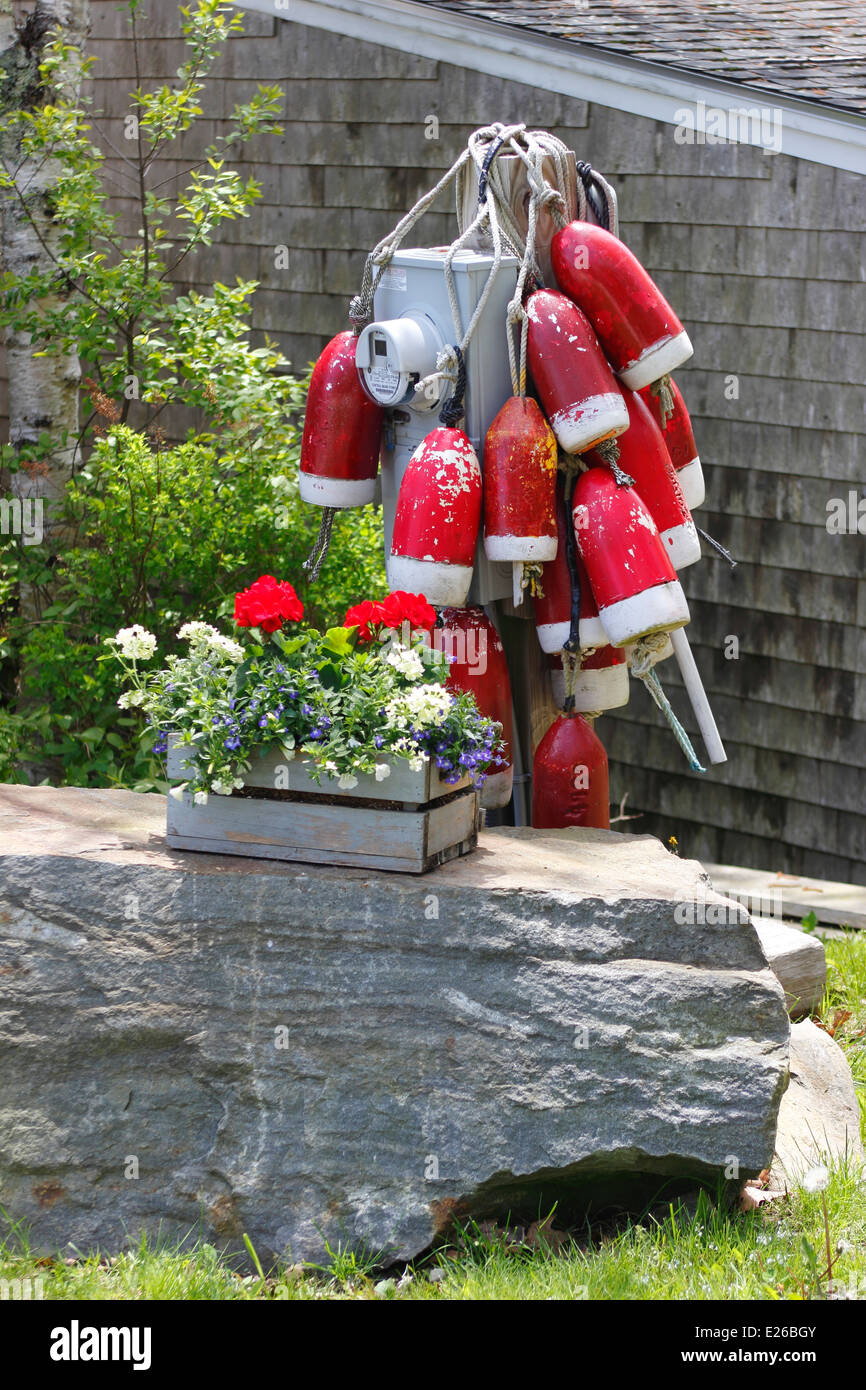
{"x": 44, "y": 391}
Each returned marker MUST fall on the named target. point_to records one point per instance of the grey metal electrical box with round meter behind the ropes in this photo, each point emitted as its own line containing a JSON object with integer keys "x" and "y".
{"x": 412, "y": 322}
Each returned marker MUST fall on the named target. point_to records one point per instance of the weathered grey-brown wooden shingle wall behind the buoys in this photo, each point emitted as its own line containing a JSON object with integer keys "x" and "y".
{"x": 765, "y": 259}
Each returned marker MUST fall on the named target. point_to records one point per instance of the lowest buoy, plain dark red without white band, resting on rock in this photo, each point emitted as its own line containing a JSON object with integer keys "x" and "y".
{"x": 571, "y": 785}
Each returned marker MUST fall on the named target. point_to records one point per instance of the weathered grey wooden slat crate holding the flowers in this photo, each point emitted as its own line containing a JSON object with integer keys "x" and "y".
{"x": 409, "y": 824}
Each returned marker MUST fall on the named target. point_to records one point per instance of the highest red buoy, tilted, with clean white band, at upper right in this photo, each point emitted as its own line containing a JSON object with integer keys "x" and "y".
{"x": 636, "y": 326}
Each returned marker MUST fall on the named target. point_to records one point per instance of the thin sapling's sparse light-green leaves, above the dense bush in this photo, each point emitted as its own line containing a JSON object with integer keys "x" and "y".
{"x": 113, "y": 300}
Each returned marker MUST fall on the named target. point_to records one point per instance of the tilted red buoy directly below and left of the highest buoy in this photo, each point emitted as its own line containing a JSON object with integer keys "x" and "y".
{"x": 578, "y": 389}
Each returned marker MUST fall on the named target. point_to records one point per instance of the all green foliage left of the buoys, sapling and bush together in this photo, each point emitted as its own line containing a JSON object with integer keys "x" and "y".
{"x": 155, "y": 533}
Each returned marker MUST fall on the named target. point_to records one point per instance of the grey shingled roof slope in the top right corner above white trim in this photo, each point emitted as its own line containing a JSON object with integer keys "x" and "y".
{"x": 808, "y": 49}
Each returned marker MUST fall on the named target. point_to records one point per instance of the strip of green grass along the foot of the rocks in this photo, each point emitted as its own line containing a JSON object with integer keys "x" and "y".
{"x": 686, "y": 1252}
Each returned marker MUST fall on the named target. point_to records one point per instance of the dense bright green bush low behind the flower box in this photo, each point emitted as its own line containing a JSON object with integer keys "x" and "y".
{"x": 165, "y": 536}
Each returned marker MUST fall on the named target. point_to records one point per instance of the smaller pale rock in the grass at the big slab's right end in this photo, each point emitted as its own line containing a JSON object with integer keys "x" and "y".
{"x": 819, "y": 1118}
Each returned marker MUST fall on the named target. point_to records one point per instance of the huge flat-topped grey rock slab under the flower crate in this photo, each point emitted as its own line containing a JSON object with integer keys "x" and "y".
{"x": 191, "y": 1042}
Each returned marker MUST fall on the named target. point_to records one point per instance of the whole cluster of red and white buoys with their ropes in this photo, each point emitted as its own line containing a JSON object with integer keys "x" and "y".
{"x": 586, "y": 484}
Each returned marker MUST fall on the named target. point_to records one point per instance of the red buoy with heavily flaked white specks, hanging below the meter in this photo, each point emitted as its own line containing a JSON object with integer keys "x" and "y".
{"x": 437, "y": 518}
